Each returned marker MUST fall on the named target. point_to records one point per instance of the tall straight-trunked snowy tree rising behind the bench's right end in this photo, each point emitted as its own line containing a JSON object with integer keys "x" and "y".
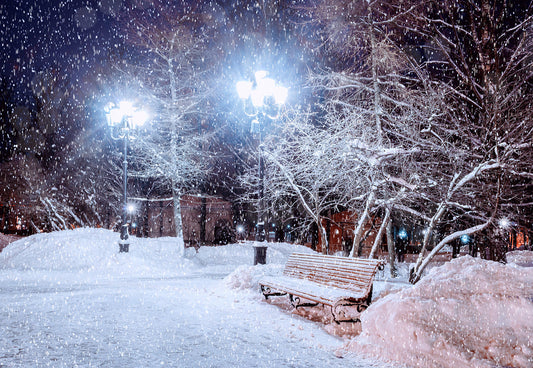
{"x": 373, "y": 89}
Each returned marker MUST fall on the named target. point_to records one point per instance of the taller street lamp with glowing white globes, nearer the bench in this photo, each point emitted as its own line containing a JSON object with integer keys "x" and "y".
{"x": 262, "y": 98}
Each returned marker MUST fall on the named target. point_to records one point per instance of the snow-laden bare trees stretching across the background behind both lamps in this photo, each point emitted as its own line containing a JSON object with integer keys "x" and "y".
{"x": 398, "y": 109}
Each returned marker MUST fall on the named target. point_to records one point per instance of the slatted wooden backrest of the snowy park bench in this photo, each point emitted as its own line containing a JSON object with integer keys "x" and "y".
{"x": 348, "y": 273}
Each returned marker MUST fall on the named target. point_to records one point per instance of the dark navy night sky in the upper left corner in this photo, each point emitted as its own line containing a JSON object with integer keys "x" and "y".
{"x": 47, "y": 34}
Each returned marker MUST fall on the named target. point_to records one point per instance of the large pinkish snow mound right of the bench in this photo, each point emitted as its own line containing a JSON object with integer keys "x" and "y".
{"x": 466, "y": 313}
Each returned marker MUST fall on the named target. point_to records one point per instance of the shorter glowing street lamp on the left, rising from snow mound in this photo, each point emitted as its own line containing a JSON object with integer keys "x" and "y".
{"x": 123, "y": 119}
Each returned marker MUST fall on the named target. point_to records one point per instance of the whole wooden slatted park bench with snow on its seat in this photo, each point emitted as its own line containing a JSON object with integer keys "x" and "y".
{"x": 313, "y": 279}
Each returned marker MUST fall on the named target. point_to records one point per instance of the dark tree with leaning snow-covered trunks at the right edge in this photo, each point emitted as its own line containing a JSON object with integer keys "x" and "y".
{"x": 485, "y": 53}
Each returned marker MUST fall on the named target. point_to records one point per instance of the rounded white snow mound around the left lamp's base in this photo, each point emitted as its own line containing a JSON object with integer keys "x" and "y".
{"x": 88, "y": 249}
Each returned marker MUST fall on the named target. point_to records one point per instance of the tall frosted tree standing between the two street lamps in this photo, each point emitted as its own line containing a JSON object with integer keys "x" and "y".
{"x": 172, "y": 76}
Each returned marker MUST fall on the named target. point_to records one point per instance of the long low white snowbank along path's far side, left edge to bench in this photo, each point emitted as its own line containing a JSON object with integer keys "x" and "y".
{"x": 95, "y": 251}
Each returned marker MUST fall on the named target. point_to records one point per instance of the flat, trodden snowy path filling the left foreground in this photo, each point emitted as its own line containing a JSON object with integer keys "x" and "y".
{"x": 178, "y": 322}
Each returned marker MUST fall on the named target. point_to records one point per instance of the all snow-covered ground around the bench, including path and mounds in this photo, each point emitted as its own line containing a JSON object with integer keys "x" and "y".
{"x": 70, "y": 299}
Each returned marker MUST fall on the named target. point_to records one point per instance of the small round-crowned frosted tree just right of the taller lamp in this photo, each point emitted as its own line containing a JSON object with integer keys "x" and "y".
{"x": 302, "y": 162}
